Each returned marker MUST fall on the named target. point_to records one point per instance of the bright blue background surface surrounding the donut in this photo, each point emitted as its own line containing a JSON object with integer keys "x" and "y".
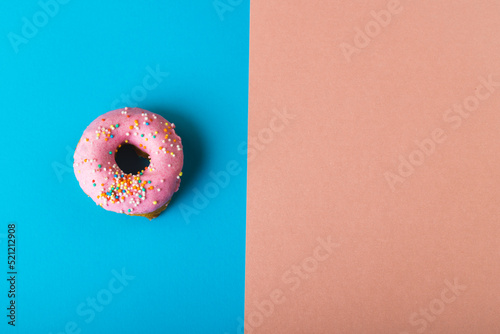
{"x": 189, "y": 273}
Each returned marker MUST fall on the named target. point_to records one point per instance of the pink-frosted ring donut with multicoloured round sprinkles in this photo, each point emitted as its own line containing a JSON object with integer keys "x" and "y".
{"x": 145, "y": 193}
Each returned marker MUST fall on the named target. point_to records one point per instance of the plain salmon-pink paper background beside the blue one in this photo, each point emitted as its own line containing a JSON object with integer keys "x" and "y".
{"x": 398, "y": 246}
